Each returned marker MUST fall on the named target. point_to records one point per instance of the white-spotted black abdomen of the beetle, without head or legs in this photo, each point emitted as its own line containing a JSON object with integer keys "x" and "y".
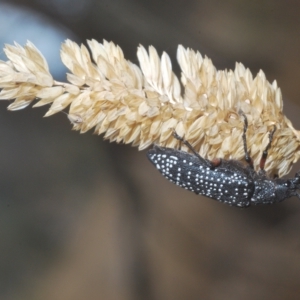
{"x": 229, "y": 182}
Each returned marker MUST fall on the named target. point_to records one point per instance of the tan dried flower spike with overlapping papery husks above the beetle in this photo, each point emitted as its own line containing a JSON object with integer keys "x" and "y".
{"x": 142, "y": 105}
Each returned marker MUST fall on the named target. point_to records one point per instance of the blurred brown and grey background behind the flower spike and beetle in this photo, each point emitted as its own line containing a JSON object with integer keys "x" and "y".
{"x": 84, "y": 219}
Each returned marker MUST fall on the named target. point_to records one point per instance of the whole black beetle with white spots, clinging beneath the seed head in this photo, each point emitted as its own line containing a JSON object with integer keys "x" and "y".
{"x": 228, "y": 181}
